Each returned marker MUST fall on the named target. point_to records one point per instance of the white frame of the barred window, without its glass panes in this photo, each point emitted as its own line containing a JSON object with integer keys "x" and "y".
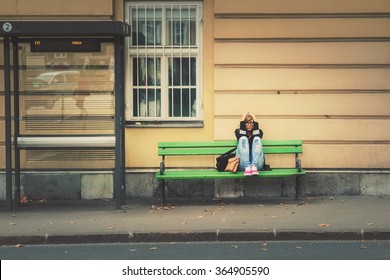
{"x": 165, "y": 52}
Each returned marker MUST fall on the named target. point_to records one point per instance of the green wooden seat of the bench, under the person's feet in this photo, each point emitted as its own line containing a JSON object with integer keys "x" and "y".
{"x": 214, "y": 174}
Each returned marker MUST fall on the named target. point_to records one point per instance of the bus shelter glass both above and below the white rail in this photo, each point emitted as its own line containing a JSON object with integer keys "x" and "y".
{"x": 66, "y": 94}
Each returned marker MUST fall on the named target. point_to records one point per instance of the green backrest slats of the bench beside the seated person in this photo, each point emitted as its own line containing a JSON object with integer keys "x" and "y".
{"x": 220, "y": 147}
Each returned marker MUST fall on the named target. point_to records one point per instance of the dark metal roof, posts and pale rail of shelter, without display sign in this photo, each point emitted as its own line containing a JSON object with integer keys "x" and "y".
{"x": 14, "y": 31}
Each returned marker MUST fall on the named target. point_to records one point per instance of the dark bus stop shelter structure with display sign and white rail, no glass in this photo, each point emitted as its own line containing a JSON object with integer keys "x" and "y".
{"x": 53, "y": 36}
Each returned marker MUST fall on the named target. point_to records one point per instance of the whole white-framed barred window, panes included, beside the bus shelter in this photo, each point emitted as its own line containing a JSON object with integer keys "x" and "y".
{"x": 165, "y": 61}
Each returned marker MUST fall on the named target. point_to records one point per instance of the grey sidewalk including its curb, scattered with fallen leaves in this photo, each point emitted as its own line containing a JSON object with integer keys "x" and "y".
{"x": 97, "y": 221}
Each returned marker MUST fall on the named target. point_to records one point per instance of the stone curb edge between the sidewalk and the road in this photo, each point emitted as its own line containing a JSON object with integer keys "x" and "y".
{"x": 156, "y": 237}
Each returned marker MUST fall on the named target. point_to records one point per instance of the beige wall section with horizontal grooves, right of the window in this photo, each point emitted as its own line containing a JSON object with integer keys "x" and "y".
{"x": 311, "y": 70}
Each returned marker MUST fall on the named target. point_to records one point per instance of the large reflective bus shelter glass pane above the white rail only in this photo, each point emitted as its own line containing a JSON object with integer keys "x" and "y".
{"x": 67, "y": 93}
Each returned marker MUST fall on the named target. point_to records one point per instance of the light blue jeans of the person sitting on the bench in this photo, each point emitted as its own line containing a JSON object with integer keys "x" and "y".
{"x": 250, "y": 157}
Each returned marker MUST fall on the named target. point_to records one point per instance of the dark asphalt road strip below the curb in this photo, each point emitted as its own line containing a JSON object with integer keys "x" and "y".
{"x": 275, "y": 250}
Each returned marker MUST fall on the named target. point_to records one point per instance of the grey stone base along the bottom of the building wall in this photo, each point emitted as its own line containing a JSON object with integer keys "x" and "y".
{"x": 99, "y": 185}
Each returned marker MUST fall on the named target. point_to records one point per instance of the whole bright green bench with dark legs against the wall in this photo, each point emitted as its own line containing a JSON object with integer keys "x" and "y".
{"x": 165, "y": 149}
